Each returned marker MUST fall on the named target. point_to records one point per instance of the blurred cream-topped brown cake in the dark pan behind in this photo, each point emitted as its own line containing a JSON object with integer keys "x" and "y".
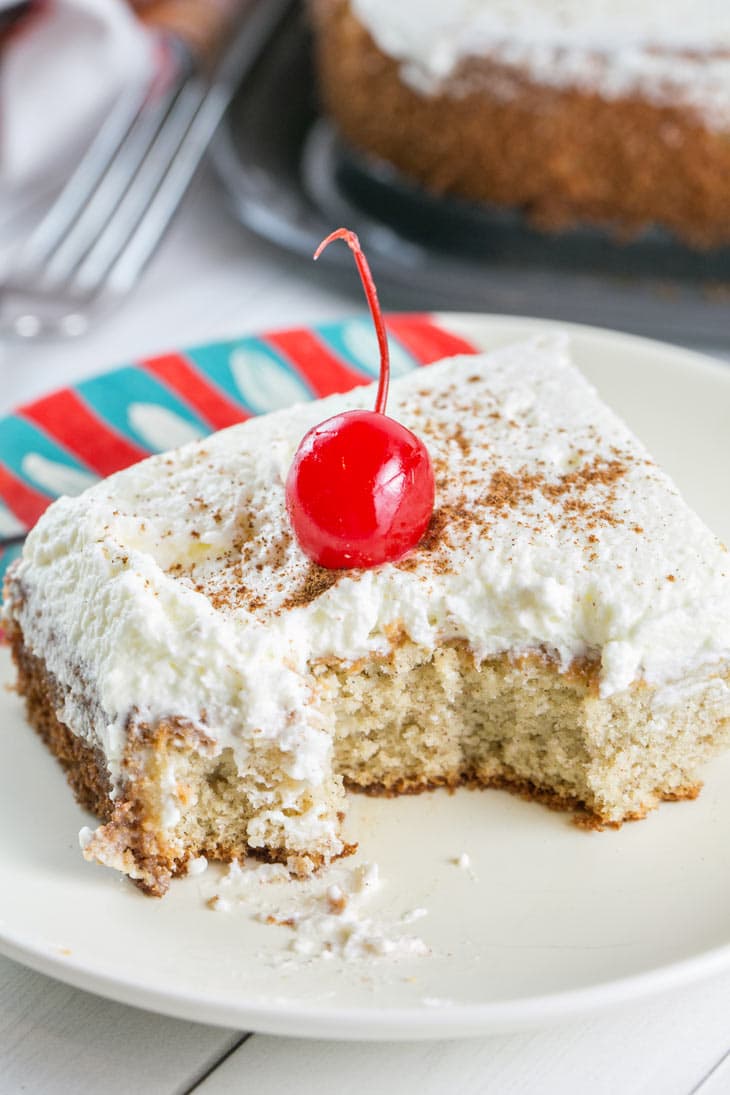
{"x": 605, "y": 112}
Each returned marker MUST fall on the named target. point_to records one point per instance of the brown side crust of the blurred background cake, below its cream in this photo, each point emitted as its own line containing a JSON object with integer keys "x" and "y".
{"x": 562, "y": 156}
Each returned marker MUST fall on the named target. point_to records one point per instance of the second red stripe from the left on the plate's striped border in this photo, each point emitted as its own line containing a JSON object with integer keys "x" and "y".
{"x": 66, "y": 419}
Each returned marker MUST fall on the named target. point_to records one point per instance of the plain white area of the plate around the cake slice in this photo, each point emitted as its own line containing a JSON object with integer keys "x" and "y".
{"x": 552, "y": 921}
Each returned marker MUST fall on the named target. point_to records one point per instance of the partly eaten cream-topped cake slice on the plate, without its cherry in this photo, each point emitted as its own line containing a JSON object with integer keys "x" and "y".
{"x": 563, "y": 629}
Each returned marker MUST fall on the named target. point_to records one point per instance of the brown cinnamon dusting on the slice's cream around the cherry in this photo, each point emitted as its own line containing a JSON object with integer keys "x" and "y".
{"x": 261, "y": 572}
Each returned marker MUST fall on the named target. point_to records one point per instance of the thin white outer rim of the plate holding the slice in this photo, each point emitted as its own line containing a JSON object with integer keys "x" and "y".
{"x": 408, "y": 1023}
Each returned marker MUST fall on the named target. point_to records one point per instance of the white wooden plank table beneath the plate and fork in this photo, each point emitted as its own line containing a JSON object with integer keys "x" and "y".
{"x": 212, "y": 281}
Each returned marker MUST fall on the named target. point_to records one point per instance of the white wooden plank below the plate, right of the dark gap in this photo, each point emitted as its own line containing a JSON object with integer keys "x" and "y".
{"x": 666, "y": 1046}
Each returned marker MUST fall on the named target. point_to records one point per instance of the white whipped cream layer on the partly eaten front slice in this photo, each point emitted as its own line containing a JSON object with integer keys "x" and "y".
{"x": 176, "y": 589}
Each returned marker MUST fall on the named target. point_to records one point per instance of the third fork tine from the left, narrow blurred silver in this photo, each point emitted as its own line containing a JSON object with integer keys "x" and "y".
{"x": 142, "y": 191}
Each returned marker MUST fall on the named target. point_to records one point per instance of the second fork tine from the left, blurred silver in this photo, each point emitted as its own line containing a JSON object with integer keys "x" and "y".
{"x": 113, "y": 186}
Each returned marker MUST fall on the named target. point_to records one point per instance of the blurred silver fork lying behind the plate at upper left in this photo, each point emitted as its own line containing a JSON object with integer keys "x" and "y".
{"x": 92, "y": 246}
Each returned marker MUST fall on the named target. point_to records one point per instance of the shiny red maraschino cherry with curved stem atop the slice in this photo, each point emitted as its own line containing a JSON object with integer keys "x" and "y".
{"x": 361, "y": 488}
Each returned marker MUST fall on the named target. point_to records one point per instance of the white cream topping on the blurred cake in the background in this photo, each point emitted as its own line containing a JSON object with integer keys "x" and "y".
{"x": 669, "y": 51}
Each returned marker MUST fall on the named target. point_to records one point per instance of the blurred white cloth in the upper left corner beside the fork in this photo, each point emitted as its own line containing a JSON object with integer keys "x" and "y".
{"x": 59, "y": 77}
